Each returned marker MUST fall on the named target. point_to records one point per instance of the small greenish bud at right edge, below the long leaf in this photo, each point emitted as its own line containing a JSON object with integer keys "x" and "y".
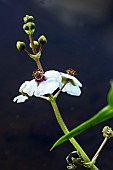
{"x": 107, "y": 132}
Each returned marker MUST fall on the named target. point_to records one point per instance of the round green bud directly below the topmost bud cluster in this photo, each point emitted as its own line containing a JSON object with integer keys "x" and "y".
{"x": 29, "y": 28}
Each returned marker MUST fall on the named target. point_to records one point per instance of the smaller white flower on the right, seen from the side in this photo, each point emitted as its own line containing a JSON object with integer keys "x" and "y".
{"x": 73, "y": 86}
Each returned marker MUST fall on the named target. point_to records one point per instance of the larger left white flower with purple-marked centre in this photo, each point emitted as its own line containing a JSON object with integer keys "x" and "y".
{"x": 48, "y": 83}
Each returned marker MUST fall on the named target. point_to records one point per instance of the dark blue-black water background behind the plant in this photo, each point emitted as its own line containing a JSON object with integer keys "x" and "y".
{"x": 80, "y": 36}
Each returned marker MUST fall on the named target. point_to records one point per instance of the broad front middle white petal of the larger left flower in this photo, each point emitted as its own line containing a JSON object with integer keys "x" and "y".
{"x": 46, "y": 87}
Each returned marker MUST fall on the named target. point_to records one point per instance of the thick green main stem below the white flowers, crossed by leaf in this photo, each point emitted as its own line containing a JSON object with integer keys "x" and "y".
{"x": 65, "y": 130}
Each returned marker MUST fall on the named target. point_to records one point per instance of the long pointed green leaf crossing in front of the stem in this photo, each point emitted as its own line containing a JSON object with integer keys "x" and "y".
{"x": 103, "y": 115}
